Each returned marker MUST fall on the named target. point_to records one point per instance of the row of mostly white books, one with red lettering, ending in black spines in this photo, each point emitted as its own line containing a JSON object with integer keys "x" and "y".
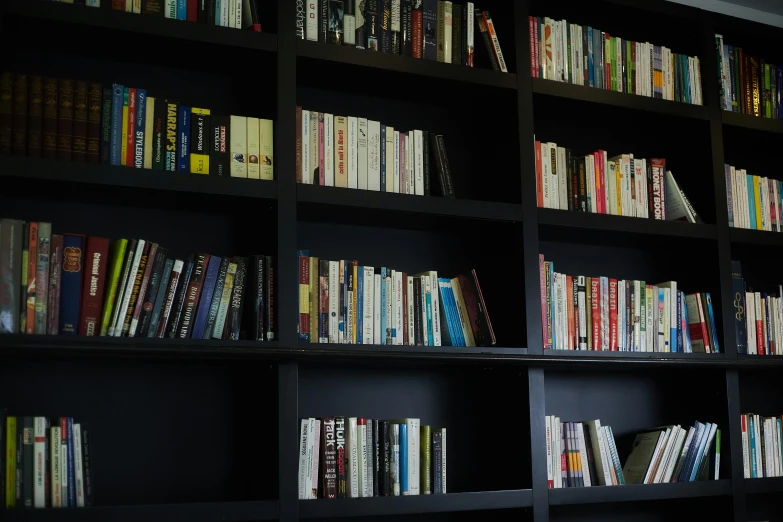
{"x": 350, "y": 152}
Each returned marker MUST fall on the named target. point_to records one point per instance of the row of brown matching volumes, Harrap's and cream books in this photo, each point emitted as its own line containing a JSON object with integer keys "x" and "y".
{"x": 72, "y": 120}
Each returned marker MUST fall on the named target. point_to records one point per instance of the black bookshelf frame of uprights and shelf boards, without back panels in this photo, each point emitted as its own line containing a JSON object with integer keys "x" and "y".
{"x": 291, "y": 198}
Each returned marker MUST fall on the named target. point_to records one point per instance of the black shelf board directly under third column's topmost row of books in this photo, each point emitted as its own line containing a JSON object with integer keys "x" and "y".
{"x": 619, "y": 99}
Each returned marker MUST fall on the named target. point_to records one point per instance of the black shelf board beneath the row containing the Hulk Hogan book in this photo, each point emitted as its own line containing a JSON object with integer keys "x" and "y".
{"x": 417, "y": 504}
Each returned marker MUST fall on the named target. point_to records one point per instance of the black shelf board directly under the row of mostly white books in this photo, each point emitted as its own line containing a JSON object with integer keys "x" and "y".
{"x": 424, "y": 205}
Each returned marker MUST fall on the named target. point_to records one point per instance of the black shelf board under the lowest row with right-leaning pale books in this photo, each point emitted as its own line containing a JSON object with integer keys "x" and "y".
{"x": 638, "y": 492}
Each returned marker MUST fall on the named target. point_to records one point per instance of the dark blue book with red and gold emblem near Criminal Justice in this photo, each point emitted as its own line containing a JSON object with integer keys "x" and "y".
{"x": 71, "y": 284}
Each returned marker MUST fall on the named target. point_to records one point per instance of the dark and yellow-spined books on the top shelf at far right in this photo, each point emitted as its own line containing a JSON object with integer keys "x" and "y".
{"x": 748, "y": 85}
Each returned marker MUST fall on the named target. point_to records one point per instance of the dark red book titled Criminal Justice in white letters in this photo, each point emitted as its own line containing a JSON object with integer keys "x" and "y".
{"x": 96, "y": 263}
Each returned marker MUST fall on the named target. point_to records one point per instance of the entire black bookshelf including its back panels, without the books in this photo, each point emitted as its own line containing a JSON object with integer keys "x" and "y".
{"x": 252, "y": 394}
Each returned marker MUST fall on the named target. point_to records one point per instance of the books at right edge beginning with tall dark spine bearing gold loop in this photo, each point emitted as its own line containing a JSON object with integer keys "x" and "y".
{"x": 758, "y": 317}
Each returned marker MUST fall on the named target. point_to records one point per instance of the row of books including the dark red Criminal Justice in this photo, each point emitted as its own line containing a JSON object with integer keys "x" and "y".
{"x": 68, "y": 284}
